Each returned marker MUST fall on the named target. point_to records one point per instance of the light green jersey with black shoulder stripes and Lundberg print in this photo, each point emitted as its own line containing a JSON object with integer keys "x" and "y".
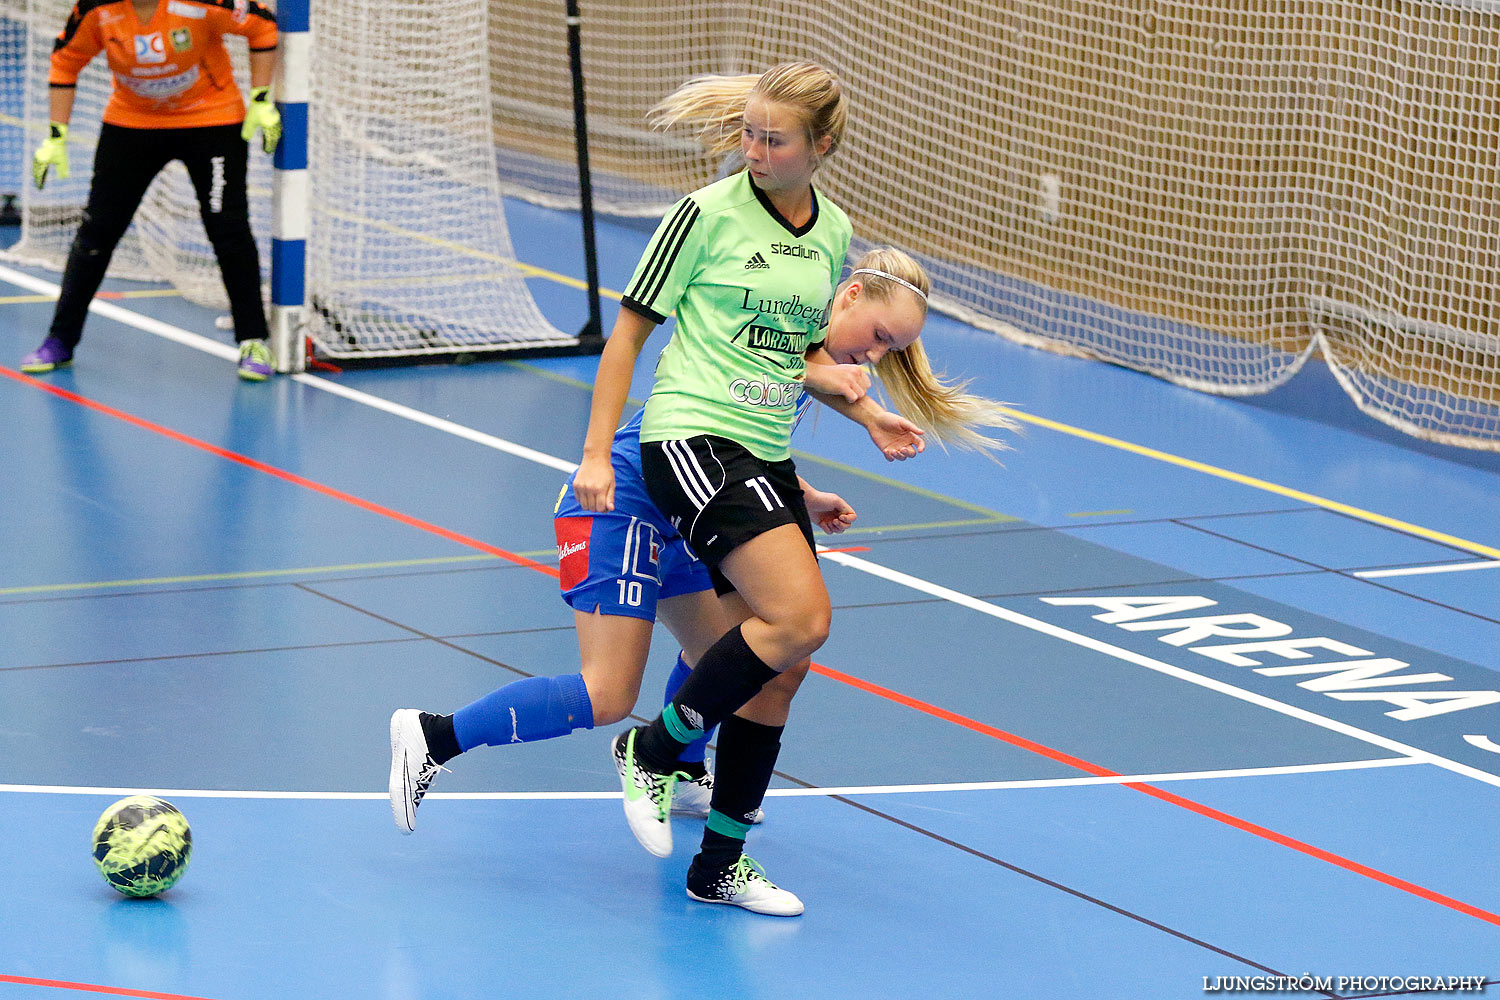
{"x": 751, "y": 295}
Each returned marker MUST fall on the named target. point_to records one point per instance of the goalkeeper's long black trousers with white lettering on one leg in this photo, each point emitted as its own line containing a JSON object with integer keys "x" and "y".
{"x": 125, "y": 166}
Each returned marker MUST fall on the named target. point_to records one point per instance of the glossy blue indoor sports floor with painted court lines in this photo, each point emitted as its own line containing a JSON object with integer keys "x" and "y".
{"x": 1189, "y": 696}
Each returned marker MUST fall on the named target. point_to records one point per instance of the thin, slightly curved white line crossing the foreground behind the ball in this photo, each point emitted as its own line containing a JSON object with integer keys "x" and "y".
{"x": 788, "y": 794}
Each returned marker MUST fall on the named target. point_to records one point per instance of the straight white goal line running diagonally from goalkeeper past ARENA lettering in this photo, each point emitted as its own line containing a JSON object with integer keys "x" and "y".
{"x": 863, "y": 566}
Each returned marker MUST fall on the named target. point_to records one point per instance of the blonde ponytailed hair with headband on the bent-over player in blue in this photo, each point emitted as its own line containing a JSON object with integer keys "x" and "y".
{"x": 947, "y": 412}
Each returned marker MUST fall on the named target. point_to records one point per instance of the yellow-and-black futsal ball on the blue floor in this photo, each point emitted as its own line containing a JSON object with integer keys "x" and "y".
{"x": 142, "y": 845}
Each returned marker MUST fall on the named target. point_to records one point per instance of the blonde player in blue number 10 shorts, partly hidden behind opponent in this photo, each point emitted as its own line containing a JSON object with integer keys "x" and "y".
{"x": 622, "y": 570}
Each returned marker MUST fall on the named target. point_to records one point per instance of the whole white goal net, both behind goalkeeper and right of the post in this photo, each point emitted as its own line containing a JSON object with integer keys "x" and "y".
{"x": 409, "y": 253}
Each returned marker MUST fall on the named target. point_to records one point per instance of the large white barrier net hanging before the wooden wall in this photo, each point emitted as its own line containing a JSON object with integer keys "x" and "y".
{"x": 1210, "y": 193}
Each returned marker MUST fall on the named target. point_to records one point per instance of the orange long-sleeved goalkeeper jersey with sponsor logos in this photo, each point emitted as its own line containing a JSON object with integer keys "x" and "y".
{"x": 170, "y": 73}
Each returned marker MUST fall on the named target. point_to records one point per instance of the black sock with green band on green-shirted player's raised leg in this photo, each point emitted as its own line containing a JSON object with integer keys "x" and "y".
{"x": 725, "y": 678}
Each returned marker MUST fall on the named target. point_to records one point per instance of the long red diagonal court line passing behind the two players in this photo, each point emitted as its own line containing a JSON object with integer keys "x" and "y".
{"x": 829, "y": 672}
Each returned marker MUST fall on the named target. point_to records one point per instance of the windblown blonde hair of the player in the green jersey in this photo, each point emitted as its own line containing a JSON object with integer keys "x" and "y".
{"x": 716, "y": 104}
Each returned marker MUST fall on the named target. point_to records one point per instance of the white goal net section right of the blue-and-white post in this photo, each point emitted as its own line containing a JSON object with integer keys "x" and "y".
{"x": 409, "y": 251}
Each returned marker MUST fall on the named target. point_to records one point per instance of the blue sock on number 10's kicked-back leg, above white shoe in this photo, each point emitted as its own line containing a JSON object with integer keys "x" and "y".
{"x": 526, "y": 711}
